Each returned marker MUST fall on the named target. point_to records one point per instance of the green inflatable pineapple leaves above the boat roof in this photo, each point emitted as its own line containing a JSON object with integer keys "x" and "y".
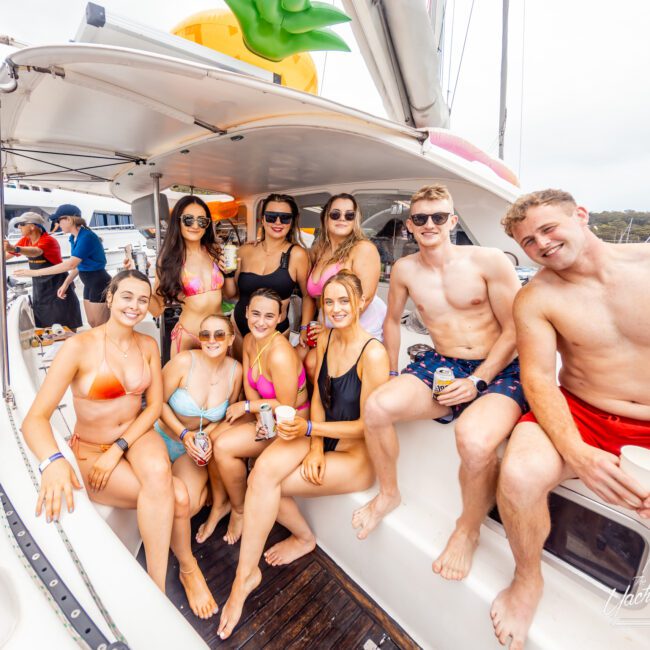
{"x": 276, "y": 29}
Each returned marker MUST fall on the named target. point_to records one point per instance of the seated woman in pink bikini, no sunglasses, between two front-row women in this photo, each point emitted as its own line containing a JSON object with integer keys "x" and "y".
{"x": 273, "y": 375}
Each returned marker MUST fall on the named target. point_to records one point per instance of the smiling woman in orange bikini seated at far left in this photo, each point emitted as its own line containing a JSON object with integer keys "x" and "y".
{"x": 123, "y": 462}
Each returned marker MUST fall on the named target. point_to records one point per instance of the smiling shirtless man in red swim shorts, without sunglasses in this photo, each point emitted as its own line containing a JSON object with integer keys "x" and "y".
{"x": 590, "y": 304}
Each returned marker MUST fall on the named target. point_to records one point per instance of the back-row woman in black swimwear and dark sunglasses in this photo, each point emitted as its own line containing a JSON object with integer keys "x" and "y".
{"x": 278, "y": 261}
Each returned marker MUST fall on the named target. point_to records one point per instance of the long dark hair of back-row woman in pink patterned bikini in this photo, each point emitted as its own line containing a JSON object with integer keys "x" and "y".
{"x": 169, "y": 265}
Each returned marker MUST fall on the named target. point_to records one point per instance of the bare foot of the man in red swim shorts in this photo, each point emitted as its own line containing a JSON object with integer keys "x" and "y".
{"x": 513, "y": 610}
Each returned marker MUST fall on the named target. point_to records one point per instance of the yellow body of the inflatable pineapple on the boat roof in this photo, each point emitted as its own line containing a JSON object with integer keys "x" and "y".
{"x": 219, "y": 30}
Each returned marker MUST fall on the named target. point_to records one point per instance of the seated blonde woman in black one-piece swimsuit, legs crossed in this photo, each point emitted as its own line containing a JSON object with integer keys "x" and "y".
{"x": 322, "y": 456}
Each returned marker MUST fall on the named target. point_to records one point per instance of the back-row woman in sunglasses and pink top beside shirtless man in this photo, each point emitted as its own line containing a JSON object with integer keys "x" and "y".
{"x": 342, "y": 245}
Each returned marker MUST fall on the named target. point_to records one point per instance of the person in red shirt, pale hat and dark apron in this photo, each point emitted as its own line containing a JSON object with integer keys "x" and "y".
{"x": 42, "y": 252}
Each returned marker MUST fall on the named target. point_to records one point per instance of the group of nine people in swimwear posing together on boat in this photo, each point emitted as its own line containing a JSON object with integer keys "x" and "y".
{"x": 200, "y": 427}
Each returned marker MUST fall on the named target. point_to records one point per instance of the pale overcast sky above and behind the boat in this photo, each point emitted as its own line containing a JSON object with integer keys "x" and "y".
{"x": 584, "y": 66}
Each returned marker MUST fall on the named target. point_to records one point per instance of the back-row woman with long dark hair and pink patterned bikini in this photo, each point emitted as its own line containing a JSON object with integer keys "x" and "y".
{"x": 187, "y": 271}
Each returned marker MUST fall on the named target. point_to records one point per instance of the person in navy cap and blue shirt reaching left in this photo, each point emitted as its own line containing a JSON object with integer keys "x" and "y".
{"x": 87, "y": 260}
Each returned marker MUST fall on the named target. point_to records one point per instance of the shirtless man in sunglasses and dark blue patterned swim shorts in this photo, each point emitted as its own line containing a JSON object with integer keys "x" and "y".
{"x": 464, "y": 295}
